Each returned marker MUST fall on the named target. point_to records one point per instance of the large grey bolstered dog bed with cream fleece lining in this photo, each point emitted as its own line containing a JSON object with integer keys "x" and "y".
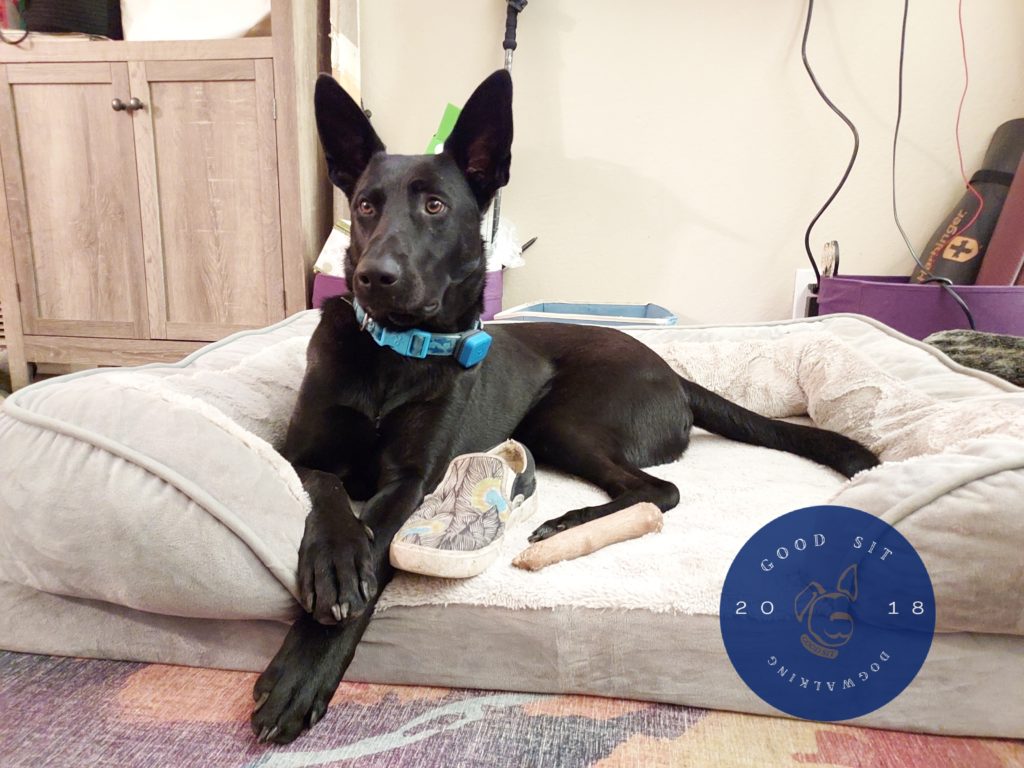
{"x": 146, "y": 516}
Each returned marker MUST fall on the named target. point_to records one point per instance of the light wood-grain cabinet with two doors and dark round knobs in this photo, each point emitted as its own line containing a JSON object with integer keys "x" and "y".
{"x": 164, "y": 196}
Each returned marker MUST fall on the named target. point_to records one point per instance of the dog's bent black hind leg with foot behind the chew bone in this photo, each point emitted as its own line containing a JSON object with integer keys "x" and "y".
{"x": 581, "y": 453}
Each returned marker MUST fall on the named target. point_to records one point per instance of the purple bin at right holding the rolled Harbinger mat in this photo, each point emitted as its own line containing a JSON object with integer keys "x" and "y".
{"x": 920, "y": 311}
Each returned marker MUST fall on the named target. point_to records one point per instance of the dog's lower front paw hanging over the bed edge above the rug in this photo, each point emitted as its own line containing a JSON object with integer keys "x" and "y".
{"x": 294, "y": 692}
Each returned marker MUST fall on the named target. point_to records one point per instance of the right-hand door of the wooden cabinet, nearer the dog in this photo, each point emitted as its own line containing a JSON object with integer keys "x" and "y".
{"x": 208, "y": 183}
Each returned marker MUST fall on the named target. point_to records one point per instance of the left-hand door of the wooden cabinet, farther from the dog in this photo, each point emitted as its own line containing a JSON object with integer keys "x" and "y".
{"x": 72, "y": 193}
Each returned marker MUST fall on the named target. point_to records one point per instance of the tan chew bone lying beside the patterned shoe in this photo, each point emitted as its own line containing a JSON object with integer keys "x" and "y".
{"x": 631, "y": 523}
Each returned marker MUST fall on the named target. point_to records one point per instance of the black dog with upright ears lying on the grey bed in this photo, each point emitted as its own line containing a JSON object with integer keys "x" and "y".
{"x": 374, "y": 424}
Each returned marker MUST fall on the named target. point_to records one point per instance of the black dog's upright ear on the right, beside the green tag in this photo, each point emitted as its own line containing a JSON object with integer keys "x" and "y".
{"x": 481, "y": 144}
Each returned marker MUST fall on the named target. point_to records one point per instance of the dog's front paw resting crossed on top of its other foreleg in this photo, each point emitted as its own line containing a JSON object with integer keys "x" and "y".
{"x": 337, "y": 575}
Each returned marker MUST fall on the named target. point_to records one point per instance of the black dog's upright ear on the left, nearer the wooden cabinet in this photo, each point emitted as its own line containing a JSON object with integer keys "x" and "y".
{"x": 348, "y": 138}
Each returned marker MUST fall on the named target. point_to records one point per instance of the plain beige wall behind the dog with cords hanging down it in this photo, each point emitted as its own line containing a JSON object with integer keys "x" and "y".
{"x": 674, "y": 152}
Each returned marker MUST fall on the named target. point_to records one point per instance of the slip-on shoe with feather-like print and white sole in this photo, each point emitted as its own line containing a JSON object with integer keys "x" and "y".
{"x": 458, "y": 530}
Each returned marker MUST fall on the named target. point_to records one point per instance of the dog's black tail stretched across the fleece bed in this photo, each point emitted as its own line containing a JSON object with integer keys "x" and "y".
{"x": 718, "y": 415}
